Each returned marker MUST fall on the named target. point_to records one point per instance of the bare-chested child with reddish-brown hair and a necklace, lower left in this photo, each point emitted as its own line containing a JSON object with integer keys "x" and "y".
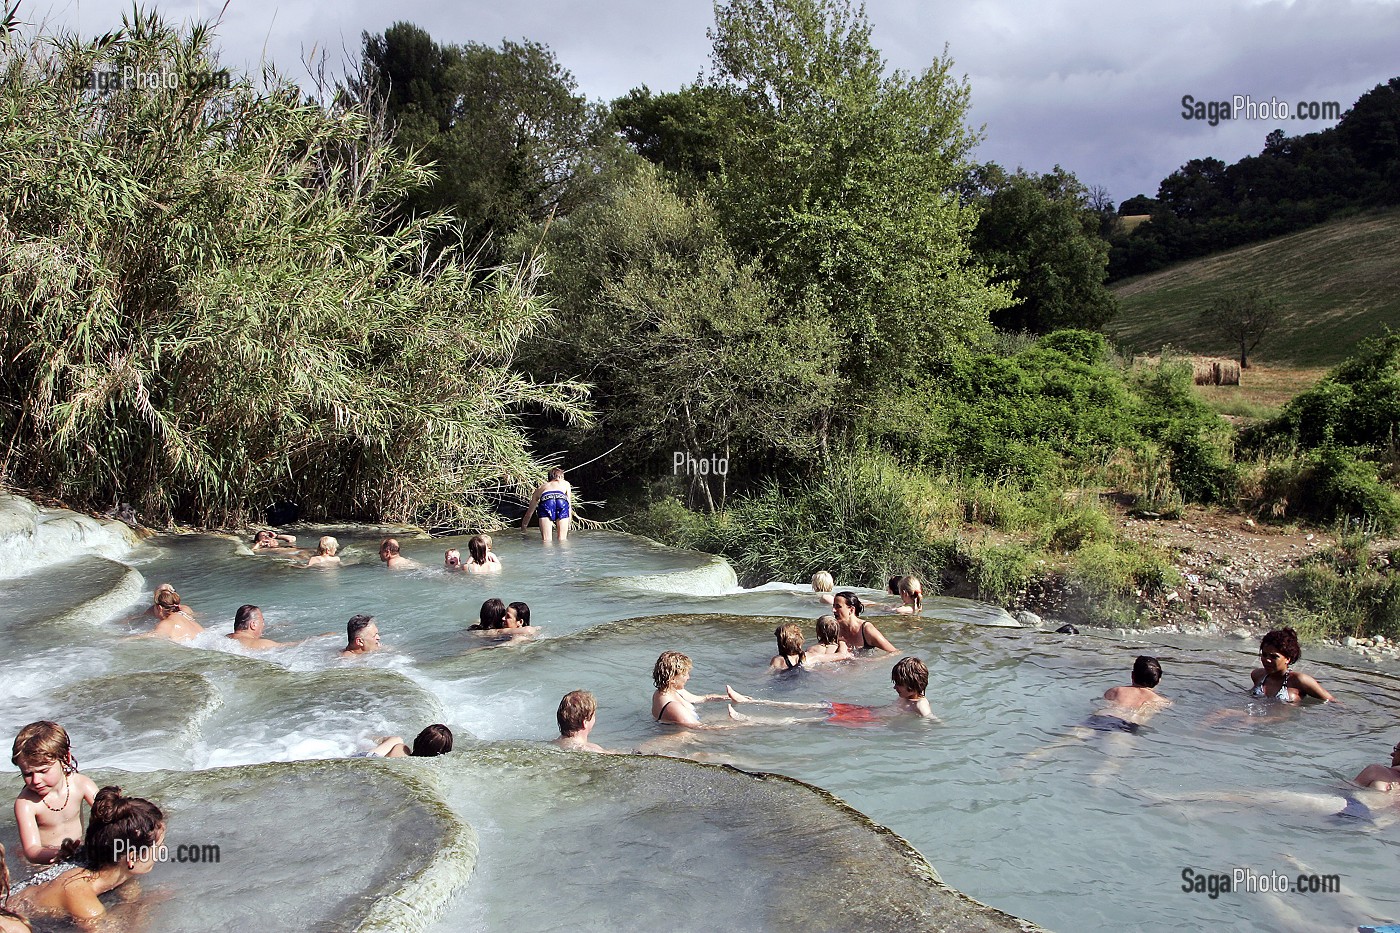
{"x": 50, "y": 809}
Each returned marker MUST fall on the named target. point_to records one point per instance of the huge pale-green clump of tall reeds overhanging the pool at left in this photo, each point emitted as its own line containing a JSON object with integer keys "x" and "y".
{"x": 205, "y": 307}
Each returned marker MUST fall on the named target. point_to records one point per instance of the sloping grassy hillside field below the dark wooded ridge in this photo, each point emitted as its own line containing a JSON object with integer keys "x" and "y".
{"x": 1336, "y": 282}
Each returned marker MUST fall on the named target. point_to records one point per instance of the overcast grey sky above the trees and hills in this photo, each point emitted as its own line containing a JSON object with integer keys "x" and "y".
{"x": 1094, "y": 86}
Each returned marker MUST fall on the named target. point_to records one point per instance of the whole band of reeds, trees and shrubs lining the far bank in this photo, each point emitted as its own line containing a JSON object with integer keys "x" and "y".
{"x": 398, "y": 298}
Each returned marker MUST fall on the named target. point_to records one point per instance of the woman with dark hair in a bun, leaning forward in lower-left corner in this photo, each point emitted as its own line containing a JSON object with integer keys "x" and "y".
{"x": 122, "y": 843}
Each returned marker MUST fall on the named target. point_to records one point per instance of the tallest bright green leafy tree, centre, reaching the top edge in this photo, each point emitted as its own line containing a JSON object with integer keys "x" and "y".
{"x": 843, "y": 184}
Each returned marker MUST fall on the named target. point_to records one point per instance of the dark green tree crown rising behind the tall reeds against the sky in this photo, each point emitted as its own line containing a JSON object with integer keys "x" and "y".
{"x": 510, "y": 138}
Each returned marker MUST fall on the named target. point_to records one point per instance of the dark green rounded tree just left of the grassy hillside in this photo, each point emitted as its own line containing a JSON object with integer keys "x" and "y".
{"x": 1042, "y": 236}
